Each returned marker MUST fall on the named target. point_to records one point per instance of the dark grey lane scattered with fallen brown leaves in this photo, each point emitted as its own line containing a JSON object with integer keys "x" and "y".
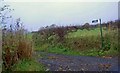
{"x": 57, "y": 62}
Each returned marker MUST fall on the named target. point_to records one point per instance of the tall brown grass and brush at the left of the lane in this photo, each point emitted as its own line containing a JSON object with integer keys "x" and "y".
{"x": 15, "y": 45}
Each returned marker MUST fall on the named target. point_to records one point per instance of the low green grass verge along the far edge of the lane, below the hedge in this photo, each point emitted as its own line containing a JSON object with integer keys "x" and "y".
{"x": 67, "y": 51}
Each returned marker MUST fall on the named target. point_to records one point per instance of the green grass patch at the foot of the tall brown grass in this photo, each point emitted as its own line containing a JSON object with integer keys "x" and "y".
{"x": 28, "y": 65}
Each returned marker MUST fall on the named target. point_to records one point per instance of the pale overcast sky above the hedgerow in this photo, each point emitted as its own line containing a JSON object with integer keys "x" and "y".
{"x": 39, "y": 14}
